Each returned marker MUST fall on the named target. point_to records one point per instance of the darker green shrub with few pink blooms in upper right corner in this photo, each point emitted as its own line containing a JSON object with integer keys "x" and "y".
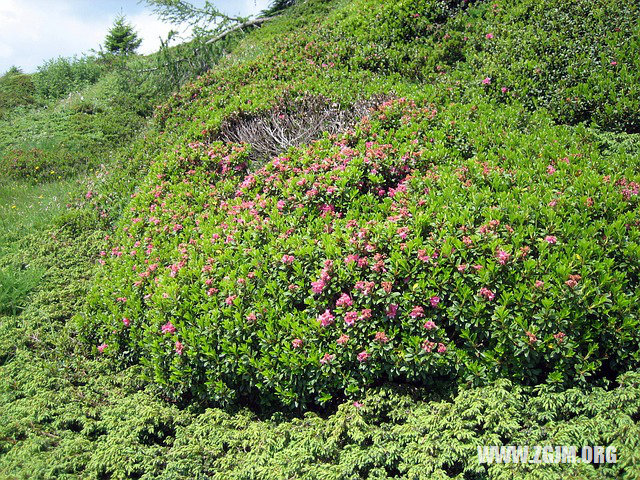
{"x": 576, "y": 59}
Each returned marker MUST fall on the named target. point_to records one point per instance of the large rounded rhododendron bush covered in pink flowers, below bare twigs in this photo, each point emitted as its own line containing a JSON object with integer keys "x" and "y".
{"x": 384, "y": 254}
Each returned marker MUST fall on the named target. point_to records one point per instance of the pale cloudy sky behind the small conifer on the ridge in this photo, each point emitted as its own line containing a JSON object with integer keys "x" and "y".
{"x": 33, "y": 31}
